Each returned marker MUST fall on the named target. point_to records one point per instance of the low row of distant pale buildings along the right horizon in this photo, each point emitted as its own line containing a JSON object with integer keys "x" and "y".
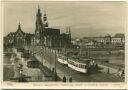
{"x": 95, "y": 42}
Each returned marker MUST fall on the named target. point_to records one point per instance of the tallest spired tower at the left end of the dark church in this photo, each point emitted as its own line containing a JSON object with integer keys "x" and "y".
{"x": 39, "y": 28}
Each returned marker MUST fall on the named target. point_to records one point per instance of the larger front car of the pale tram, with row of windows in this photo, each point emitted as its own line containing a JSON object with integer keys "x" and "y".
{"x": 80, "y": 65}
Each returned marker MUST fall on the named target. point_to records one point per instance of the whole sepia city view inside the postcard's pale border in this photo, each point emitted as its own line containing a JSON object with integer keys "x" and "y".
{"x": 67, "y": 41}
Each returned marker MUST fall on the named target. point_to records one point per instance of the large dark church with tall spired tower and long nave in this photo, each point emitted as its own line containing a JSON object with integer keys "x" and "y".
{"x": 49, "y": 37}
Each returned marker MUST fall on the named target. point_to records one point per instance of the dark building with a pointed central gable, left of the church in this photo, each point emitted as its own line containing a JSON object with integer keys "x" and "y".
{"x": 18, "y": 38}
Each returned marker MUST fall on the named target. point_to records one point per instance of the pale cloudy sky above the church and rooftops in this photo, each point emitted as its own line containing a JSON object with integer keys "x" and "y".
{"x": 84, "y": 18}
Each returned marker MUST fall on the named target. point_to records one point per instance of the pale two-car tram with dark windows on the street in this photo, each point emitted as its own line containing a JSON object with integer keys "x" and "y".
{"x": 78, "y": 64}
